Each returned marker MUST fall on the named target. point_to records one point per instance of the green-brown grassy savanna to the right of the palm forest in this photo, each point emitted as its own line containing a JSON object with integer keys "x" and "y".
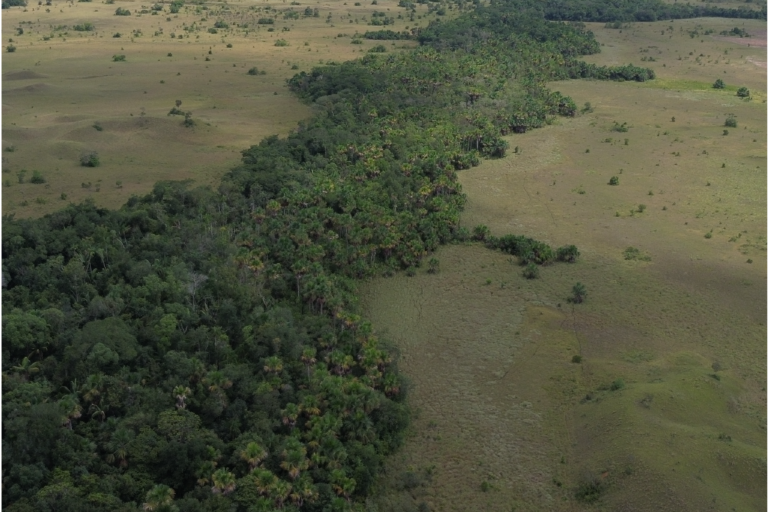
{"x": 668, "y": 409}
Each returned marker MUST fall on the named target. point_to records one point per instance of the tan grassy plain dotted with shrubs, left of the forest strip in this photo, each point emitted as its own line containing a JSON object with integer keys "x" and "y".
{"x": 60, "y": 84}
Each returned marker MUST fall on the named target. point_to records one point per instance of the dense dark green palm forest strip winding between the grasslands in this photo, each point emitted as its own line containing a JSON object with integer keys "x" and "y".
{"x": 201, "y": 350}
